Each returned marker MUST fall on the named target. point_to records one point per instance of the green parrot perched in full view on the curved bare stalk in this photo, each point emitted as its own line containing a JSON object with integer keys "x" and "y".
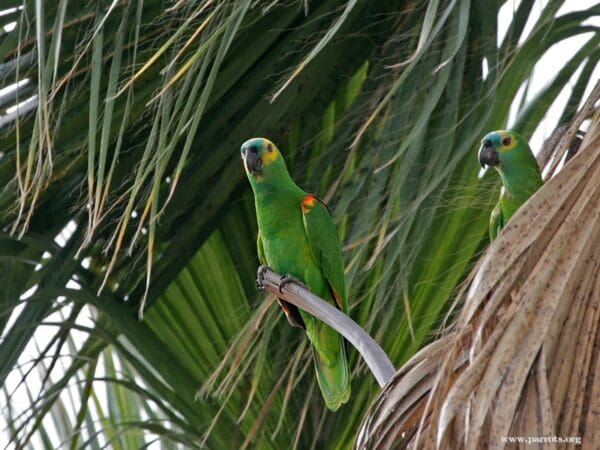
{"x": 298, "y": 237}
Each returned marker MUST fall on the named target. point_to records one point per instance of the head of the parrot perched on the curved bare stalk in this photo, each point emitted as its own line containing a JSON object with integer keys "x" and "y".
{"x": 262, "y": 160}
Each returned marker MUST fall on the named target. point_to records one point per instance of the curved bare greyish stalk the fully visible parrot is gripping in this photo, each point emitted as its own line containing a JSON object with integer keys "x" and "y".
{"x": 297, "y": 294}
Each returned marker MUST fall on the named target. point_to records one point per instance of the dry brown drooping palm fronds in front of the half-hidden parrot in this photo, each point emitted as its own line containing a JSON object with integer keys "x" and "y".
{"x": 522, "y": 357}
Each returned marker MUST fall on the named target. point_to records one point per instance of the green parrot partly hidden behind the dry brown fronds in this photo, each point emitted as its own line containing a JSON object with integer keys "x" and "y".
{"x": 511, "y": 156}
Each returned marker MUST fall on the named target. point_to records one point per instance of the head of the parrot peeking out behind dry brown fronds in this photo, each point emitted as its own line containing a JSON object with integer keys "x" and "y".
{"x": 502, "y": 149}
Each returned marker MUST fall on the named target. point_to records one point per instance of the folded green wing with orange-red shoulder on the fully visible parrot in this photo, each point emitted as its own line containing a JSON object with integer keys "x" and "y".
{"x": 325, "y": 246}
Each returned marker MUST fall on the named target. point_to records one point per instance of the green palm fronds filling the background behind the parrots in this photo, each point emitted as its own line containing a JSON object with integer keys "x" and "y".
{"x": 124, "y": 195}
